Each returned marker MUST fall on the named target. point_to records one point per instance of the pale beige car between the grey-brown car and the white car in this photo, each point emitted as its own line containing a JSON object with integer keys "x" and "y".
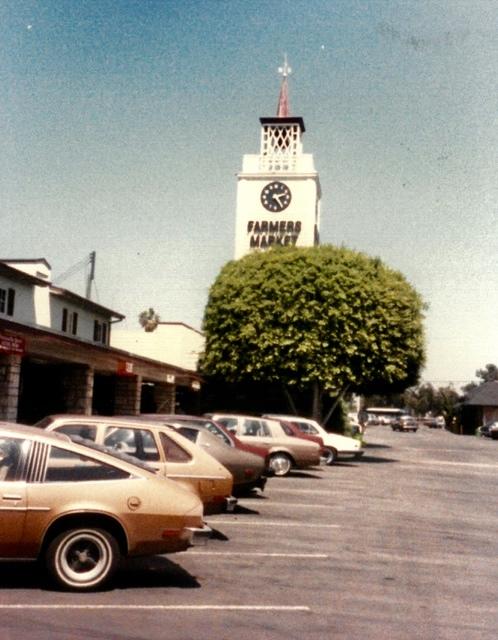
{"x": 284, "y": 452}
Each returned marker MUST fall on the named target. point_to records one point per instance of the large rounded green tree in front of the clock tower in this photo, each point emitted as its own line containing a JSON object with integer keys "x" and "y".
{"x": 324, "y": 318}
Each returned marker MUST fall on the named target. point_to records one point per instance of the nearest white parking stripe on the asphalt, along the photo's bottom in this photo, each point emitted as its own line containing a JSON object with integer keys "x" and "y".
{"x": 157, "y": 607}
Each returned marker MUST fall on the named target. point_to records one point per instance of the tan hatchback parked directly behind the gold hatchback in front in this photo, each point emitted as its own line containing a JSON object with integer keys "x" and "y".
{"x": 161, "y": 447}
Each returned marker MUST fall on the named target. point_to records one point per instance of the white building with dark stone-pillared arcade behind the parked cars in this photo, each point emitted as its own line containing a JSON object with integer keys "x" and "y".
{"x": 55, "y": 354}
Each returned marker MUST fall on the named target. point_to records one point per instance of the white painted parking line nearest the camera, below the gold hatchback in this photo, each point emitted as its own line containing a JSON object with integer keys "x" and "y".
{"x": 158, "y": 607}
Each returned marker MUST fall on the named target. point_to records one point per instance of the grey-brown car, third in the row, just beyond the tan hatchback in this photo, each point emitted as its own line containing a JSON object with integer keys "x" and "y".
{"x": 248, "y": 469}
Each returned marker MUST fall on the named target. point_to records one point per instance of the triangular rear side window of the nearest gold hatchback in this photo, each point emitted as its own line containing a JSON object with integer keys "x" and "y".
{"x": 66, "y": 466}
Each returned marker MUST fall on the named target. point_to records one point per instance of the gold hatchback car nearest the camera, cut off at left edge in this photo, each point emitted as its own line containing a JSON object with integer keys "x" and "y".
{"x": 81, "y": 509}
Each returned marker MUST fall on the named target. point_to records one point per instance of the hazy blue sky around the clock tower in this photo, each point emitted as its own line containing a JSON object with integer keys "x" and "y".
{"x": 124, "y": 124}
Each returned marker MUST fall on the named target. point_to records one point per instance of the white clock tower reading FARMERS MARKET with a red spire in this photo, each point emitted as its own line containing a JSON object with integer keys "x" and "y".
{"x": 278, "y": 190}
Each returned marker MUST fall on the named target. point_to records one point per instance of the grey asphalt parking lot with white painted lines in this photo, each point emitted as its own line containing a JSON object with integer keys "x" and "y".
{"x": 402, "y": 544}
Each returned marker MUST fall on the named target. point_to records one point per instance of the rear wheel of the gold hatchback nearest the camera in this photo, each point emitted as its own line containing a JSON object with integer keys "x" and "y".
{"x": 82, "y": 559}
